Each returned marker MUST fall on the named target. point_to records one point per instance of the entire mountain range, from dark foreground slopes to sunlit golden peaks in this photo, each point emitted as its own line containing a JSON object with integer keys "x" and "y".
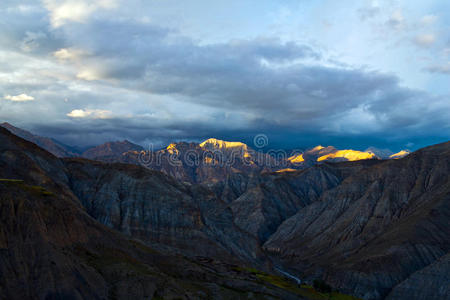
{"x": 74, "y": 228}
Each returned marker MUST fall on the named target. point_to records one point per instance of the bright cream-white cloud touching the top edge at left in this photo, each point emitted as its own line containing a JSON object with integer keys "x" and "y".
{"x": 62, "y": 11}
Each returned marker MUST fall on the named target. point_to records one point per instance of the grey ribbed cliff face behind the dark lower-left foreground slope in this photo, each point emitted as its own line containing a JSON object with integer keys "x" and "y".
{"x": 155, "y": 207}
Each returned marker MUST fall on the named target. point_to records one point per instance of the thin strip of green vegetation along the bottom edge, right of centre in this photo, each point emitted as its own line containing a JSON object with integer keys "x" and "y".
{"x": 303, "y": 290}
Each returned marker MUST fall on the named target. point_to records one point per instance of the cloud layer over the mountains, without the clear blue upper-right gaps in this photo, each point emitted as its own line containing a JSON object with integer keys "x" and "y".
{"x": 107, "y": 71}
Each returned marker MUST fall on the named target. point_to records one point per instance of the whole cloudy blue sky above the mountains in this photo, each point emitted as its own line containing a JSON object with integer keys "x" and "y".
{"x": 352, "y": 74}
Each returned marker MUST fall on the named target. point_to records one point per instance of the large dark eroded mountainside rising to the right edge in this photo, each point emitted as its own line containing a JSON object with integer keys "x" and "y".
{"x": 375, "y": 229}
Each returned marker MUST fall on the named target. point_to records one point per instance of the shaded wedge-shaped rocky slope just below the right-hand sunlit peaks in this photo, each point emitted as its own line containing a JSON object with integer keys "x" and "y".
{"x": 262, "y": 208}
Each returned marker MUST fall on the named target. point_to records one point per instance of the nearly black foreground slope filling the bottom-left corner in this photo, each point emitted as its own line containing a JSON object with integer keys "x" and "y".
{"x": 51, "y": 249}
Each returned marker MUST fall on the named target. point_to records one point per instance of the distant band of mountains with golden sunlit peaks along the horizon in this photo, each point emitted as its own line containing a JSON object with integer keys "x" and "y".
{"x": 207, "y": 162}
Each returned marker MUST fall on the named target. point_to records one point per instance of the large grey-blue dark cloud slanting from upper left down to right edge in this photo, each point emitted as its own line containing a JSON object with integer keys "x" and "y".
{"x": 280, "y": 83}
